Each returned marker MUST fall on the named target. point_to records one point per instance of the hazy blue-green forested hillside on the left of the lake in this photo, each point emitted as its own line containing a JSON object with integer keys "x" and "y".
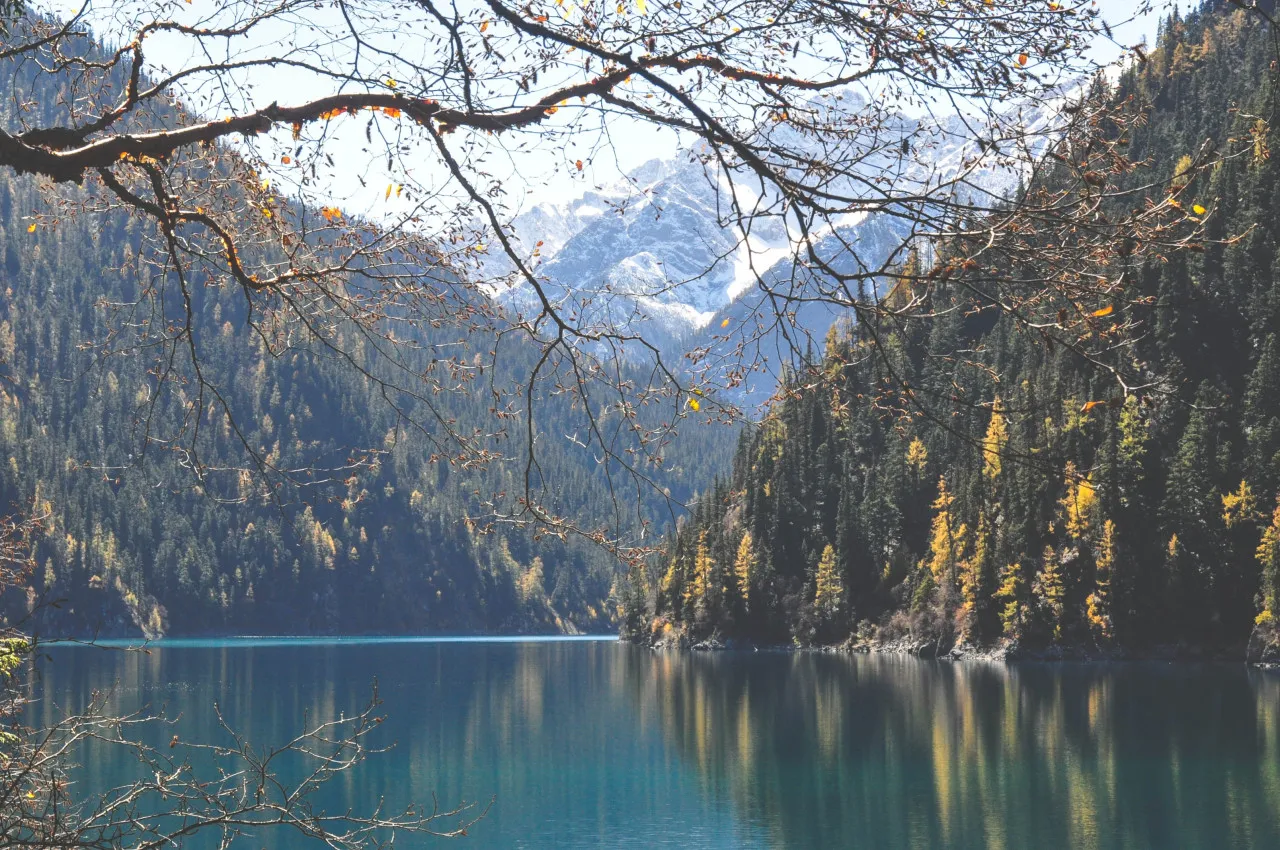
{"x": 134, "y": 543}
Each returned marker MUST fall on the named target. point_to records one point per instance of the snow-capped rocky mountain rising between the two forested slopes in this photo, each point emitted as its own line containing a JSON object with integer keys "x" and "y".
{"x": 665, "y": 253}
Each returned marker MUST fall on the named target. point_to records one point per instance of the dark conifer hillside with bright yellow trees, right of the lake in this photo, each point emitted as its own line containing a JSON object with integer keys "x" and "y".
{"x": 1018, "y": 492}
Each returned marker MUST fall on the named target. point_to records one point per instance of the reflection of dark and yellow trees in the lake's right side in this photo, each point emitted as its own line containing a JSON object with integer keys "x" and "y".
{"x": 877, "y": 752}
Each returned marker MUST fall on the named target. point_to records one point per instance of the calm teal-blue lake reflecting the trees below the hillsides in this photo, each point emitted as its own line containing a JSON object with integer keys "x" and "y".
{"x": 598, "y": 744}
